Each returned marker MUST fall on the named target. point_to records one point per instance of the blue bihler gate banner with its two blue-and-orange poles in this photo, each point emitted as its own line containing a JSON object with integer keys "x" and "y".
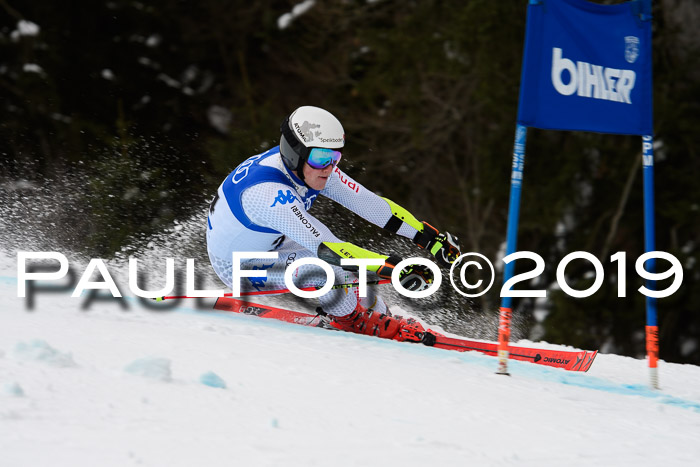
{"x": 586, "y": 67}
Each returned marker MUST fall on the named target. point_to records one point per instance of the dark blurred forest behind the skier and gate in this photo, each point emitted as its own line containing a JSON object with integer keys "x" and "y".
{"x": 133, "y": 112}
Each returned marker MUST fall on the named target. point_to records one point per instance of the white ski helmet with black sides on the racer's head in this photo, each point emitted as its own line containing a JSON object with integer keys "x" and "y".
{"x": 306, "y": 128}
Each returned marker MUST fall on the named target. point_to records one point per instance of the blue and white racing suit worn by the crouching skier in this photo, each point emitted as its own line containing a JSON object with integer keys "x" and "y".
{"x": 262, "y": 206}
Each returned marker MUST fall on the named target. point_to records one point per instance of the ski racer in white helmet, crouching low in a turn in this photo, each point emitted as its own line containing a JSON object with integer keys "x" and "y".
{"x": 263, "y": 206}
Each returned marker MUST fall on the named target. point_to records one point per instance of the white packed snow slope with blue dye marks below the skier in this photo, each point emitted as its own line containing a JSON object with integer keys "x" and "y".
{"x": 113, "y": 386}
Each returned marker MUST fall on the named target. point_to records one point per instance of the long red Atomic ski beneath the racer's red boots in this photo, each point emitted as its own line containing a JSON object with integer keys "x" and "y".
{"x": 572, "y": 360}
